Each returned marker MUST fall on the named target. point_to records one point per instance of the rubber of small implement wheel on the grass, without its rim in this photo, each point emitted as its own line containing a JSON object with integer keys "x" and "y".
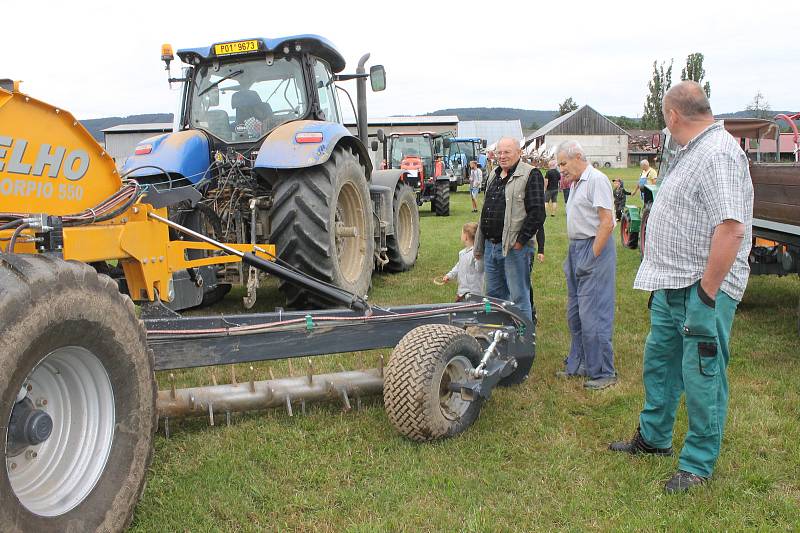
{"x": 407, "y": 379}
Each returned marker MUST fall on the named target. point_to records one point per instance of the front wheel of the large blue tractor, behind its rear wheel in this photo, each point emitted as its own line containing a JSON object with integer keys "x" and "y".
{"x": 403, "y": 246}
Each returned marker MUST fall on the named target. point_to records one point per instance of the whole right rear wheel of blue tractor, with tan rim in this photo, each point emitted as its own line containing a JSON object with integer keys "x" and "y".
{"x": 310, "y": 206}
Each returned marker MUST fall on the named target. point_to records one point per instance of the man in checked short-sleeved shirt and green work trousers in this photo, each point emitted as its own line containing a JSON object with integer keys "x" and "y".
{"x": 695, "y": 265}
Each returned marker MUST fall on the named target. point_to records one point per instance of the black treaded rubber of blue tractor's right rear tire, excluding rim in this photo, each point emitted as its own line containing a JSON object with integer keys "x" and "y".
{"x": 299, "y": 226}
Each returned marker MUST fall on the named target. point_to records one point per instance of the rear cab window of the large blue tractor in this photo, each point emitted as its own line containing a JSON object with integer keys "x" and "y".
{"x": 244, "y": 100}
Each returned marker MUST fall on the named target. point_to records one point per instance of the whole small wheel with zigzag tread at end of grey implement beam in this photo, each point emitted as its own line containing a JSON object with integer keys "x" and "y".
{"x": 418, "y": 402}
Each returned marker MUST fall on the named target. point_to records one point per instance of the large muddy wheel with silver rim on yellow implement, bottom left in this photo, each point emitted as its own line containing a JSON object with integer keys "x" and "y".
{"x": 73, "y": 347}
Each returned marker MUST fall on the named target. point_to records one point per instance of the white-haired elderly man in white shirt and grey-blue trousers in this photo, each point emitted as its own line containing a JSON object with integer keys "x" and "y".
{"x": 590, "y": 269}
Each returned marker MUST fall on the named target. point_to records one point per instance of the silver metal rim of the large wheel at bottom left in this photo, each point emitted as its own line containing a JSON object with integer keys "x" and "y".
{"x": 73, "y": 387}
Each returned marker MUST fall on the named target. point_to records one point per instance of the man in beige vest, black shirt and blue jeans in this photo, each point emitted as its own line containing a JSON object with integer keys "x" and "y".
{"x": 513, "y": 212}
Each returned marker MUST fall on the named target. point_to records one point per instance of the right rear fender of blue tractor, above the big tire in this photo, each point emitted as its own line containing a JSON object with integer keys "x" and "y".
{"x": 281, "y": 150}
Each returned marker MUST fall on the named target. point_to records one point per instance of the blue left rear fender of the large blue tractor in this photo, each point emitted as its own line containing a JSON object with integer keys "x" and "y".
{"x": 183, "y": 153}
